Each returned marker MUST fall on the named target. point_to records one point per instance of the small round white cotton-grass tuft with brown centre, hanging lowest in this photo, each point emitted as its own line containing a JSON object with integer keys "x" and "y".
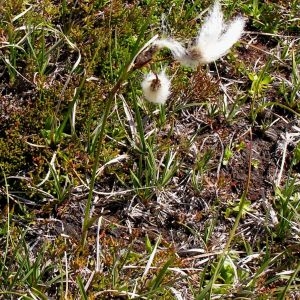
{"x": 156, "y": 87}
